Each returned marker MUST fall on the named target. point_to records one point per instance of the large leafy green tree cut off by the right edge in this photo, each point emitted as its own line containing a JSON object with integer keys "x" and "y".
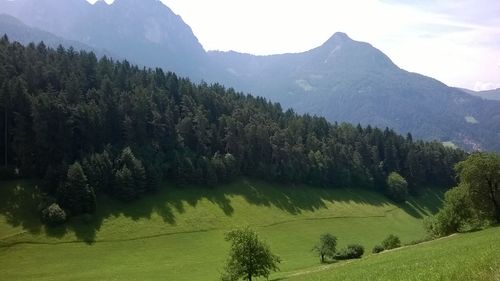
{"x": 481, "y": 173}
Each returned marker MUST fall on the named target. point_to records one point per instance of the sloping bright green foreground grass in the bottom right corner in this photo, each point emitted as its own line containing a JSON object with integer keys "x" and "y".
{"x": 471, "y": 256}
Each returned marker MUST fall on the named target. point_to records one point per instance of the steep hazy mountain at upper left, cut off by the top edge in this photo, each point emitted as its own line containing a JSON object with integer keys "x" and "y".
{"x": 145, "y": 32}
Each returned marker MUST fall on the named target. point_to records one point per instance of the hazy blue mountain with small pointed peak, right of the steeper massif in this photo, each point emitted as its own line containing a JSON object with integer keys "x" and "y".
{"x": 346, "y": 80}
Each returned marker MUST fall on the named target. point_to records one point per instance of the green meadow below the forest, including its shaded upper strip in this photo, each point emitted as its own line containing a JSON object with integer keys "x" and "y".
{"x": 177, "y": 234}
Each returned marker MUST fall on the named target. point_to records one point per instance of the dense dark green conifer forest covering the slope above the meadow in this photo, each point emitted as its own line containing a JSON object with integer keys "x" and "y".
{"x": 88, "y": 126}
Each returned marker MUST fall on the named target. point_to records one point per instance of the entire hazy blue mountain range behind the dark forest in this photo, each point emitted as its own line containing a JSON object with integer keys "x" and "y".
{"x": 343, "y": 80}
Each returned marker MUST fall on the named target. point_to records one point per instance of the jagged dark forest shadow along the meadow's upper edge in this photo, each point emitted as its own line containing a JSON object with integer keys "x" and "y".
{"x": 18, "y": 203}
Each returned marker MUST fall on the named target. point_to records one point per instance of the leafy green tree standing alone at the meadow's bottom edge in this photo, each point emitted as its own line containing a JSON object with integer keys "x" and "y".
{"x": 248, "y": 256}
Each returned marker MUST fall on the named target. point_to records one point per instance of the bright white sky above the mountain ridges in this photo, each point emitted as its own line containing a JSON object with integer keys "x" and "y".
{"x": 454, "y": 41}
